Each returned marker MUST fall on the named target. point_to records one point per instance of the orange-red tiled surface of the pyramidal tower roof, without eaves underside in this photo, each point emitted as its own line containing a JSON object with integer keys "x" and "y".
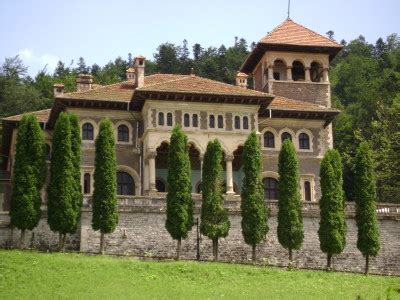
{"x": 291, "y": 33}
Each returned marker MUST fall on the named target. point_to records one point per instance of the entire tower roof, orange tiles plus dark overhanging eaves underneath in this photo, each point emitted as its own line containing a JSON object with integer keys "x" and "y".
{"x": 293, "y": 37}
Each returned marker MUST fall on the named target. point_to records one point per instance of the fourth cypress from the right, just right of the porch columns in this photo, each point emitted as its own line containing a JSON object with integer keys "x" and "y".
{"x": 254, "y": 216}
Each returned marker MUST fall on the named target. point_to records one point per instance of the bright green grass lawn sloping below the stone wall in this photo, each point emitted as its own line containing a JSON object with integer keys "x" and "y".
{"x": 41, "y": 275}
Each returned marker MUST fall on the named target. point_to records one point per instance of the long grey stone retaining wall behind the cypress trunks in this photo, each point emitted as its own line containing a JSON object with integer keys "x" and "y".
{"x": 141, "y": 231}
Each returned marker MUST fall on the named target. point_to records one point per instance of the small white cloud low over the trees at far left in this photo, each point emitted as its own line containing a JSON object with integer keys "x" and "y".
{"x": 38, "y": 62}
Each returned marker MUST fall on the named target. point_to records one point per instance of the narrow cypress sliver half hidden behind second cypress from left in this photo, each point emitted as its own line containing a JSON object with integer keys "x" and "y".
{"x": 76, "y": 162}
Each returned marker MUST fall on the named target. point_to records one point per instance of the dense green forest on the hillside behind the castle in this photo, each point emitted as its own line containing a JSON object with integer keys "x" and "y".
{"x": 365, "y": 80}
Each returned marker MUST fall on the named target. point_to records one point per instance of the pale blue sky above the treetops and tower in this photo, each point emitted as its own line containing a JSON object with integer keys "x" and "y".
{"x": 42, "y": 32}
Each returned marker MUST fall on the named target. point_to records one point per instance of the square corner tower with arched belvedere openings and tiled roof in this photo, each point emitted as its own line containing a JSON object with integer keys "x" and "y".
{"x": 293, "y": 61}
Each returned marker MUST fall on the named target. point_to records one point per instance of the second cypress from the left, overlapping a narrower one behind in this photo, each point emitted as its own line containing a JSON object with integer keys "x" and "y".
{"x": 62, "y": 215}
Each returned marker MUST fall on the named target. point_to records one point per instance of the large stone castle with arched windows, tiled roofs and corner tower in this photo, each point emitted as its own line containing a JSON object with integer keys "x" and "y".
{"x": 290, "y": 99}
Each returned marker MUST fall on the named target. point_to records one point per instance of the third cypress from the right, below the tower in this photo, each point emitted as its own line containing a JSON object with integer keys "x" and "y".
{"x": 290, "y": 221}
